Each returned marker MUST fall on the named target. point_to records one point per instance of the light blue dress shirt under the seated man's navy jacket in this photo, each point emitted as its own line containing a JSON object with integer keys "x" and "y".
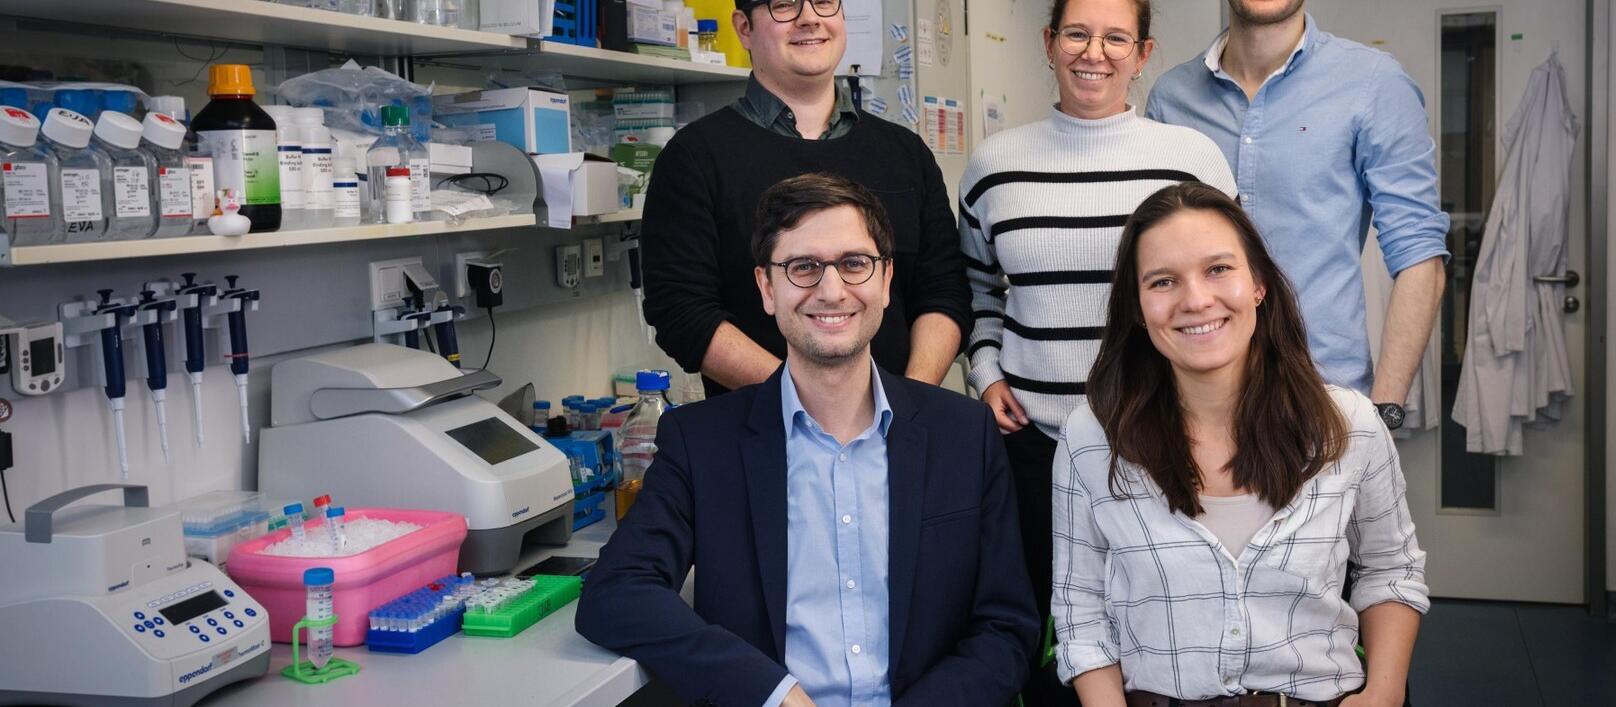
{"x": 836, "y": 567}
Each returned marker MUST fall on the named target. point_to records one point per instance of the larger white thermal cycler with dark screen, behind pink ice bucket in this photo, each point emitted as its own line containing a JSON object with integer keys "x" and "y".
{"x": 381, "y": 425}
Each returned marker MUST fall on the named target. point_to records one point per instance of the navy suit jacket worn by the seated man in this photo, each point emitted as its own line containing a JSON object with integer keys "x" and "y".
{"x": 962, "y": 614}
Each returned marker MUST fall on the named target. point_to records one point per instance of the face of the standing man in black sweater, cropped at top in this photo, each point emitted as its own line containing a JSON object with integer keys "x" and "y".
{"x": 789, "y": 52}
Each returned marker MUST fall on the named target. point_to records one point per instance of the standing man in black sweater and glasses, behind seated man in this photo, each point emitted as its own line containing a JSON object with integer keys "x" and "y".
{"x": 701, "y": 209}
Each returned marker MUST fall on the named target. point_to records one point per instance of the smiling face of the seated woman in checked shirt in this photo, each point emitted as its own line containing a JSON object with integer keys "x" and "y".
{"x": 1198, "y": 293}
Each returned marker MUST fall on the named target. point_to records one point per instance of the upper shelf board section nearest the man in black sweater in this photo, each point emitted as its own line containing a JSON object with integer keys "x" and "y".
{"x": 594, "y": 64}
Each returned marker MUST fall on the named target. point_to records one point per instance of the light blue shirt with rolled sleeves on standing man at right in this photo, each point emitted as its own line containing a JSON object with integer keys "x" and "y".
{"x": 1334, "y": 136}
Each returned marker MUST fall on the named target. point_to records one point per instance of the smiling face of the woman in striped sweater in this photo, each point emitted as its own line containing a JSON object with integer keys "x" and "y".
{"x": 1093, "y": 85}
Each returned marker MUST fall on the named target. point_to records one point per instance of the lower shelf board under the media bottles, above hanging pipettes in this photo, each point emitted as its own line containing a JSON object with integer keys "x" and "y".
{"x": 216, "y": 245}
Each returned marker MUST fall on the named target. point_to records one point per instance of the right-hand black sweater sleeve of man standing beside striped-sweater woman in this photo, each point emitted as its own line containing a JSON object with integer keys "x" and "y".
{"x": 938, "y": 283}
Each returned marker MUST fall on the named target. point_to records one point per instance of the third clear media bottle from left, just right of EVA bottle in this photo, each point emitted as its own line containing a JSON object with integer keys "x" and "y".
{"x": 127, "y": 190}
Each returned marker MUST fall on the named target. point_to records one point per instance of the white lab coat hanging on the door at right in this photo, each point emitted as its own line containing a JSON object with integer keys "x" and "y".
{"x": 1517, "y": 370}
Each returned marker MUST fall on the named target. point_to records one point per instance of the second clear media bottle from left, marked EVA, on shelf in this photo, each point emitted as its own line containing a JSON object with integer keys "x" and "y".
{"x": 78, "y": 182}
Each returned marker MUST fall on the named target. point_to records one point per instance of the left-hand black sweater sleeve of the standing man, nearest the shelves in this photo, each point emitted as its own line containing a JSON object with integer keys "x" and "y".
{"x": 680, "y": 257}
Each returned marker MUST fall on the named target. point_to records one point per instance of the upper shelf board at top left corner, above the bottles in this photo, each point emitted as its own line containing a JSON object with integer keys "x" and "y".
{"x": 267, "y": 23}
